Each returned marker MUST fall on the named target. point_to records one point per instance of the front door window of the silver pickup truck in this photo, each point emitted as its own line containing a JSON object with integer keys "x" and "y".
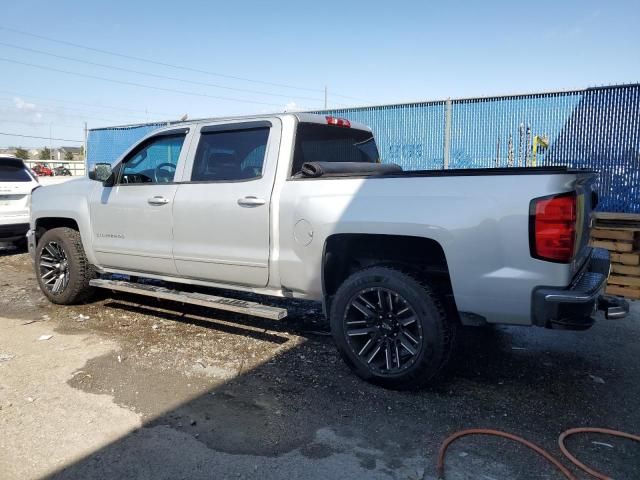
{"x": 154, "y": 161}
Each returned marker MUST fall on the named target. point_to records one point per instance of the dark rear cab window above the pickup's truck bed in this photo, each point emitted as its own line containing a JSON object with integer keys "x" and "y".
{"x": 326, "y": 143}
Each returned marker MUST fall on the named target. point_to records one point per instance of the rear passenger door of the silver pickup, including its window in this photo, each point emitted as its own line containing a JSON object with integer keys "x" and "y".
{"x": 221, "y": 213}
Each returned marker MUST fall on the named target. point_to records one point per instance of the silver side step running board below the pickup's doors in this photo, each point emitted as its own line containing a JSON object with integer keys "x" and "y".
{"x": 202, "y": 299}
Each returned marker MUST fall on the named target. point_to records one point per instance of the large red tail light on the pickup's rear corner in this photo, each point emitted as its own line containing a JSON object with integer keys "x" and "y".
{"x": 552, "y": 227}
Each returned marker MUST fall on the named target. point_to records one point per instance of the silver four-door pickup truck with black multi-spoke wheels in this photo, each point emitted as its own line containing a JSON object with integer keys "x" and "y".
{"x": 299, "y": 206}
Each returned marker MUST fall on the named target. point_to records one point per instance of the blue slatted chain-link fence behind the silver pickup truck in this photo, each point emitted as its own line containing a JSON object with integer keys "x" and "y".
{"x": 595, "y": 128}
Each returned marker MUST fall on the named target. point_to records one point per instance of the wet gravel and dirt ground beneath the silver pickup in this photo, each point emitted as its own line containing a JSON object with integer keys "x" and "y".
{"x": 172, "y": 391}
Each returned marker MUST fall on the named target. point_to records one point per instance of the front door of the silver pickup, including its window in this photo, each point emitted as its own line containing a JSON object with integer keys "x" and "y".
{"x": 132, "y": 220}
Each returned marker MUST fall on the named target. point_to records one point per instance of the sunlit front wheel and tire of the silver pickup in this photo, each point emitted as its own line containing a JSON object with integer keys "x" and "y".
{"x": 62, "y": 269}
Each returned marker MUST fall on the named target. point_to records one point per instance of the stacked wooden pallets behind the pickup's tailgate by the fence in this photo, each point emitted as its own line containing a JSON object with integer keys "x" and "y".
{"x": 620, "y": 234}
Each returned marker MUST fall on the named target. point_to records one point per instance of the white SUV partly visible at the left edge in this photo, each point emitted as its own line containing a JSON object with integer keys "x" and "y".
{"x": 16, "y": 184}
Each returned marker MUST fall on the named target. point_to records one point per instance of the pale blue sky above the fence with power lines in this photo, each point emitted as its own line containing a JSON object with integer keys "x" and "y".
{"x": 117, "y": 62}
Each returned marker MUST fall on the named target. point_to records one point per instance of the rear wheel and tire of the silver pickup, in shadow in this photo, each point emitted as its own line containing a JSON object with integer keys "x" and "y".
{"x": 410, "y": 330}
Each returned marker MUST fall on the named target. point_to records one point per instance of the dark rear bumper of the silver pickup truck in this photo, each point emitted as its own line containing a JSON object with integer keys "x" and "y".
{"x": 573, "y": 308}
